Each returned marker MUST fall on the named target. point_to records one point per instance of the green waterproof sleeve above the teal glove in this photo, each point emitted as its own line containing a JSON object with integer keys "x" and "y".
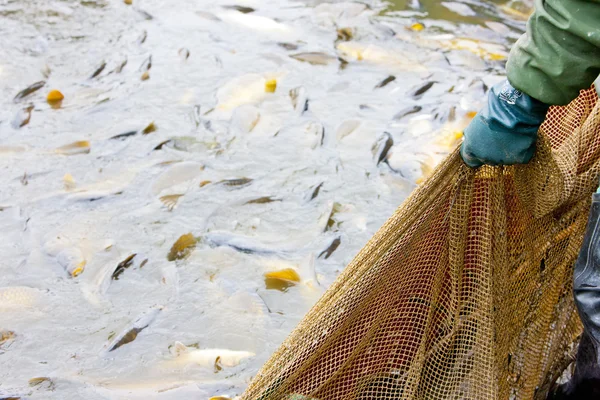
{"x": 560, "y": 53}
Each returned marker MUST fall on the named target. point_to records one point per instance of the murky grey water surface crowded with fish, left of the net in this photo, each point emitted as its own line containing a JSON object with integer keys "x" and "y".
{"x": 272, "y": 137}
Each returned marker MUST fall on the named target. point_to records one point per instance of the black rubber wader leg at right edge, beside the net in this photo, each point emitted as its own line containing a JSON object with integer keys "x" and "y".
{"x": 585, "y": 383}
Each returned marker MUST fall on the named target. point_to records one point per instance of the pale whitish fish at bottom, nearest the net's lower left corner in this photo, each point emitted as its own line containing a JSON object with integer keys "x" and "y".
{"x": 184, "y": 355}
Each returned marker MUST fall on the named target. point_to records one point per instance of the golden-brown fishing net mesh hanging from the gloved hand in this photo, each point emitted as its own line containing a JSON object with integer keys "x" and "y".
{"x": 465, "y": 292}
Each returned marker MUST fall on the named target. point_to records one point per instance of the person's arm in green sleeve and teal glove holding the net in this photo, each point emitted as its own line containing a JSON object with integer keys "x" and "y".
{"x": 557, "y": 57}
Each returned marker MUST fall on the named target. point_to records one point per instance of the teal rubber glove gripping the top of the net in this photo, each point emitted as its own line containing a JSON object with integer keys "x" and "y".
{"x": 505, "y": 130}
